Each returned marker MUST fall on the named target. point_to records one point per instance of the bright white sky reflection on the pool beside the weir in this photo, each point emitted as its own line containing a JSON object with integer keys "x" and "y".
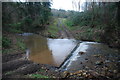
{"x": 61, "y": 48}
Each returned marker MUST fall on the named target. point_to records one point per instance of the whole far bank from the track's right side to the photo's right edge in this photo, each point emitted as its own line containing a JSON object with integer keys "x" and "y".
{"x": 96, "y": 33}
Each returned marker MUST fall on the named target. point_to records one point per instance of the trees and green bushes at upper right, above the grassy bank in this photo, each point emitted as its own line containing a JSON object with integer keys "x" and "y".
{"x": 102, "y": 15}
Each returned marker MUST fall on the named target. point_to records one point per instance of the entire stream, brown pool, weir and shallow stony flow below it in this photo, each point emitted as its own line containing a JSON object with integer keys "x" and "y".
{"x": 72, "y": 55}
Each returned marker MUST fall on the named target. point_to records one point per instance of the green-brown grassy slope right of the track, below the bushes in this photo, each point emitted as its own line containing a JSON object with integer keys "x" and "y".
{"x": 85, "y": 33}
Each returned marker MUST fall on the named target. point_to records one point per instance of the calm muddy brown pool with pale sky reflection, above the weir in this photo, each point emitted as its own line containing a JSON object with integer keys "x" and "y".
{"x": 48, "y": 51}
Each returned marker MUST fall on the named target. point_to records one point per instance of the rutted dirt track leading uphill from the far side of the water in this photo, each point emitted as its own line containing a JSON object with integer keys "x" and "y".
{"x": 63, "y": 31}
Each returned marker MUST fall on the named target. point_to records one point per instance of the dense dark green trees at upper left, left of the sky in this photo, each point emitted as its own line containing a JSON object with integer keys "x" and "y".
{"x": 25, "y": 16}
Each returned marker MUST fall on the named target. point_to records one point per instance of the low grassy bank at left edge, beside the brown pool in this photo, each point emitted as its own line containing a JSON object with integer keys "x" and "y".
{"x": 12, "y": 43}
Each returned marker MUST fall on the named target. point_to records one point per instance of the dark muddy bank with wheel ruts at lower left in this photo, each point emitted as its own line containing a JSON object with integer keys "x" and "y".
{"x": 21, "y": 66}
